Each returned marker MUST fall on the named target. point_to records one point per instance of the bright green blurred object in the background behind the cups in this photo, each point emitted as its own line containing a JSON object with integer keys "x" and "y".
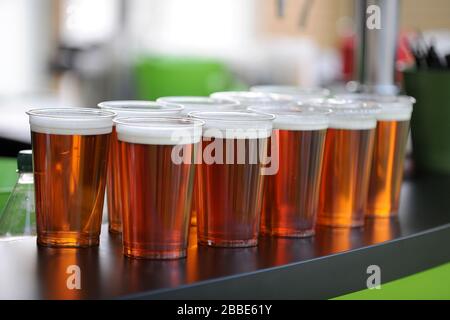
{"x": 157, "y": 76}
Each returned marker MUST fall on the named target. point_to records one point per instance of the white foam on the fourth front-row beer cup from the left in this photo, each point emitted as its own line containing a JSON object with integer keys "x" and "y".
{"x": 297, "y": 118}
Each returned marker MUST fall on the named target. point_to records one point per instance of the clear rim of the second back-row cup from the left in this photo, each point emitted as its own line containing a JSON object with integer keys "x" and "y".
{"x": 196, "y": 101}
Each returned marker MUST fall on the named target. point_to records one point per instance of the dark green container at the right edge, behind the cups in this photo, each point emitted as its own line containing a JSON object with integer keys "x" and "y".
{"x": 430, "y": 123}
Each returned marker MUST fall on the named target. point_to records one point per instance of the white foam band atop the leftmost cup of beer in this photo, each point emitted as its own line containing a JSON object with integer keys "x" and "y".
{"x": 71, "y": 121}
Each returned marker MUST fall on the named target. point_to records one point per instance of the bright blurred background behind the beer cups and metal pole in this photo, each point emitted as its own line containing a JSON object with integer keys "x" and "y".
{"x": 80, "y": 52}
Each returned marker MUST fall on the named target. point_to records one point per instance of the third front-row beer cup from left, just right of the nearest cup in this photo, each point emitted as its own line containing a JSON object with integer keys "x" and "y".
{"x": 230, "y": 177}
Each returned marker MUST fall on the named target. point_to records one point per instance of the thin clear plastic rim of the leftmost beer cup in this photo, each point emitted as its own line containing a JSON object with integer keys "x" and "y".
{"x": 62, "y": 113}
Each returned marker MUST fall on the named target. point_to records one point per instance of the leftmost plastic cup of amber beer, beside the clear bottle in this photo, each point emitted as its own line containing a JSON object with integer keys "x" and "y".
{"x": 70, "y": 152}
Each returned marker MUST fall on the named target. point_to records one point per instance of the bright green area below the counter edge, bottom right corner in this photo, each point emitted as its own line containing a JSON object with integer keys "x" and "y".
{"x": 432, "y": 284}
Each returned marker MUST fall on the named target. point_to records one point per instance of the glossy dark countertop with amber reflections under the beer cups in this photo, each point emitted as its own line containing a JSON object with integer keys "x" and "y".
{"x": 332, "y": 263}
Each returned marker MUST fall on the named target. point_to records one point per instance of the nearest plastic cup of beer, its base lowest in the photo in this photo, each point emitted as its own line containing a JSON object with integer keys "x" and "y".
{"x": 157, "y": 157}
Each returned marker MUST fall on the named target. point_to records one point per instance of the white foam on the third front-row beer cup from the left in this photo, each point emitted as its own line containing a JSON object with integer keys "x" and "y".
{"x": 235, "y": 124}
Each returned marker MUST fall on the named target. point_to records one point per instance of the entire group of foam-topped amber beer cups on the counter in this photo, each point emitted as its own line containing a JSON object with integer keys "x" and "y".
{"x": 270, "y": 161}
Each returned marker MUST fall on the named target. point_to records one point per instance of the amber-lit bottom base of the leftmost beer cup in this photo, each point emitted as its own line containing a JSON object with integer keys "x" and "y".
{"x": 67, "y": 240}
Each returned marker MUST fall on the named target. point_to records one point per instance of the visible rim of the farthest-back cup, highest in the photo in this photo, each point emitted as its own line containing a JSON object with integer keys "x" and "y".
{"x": 297, "y": 92}
